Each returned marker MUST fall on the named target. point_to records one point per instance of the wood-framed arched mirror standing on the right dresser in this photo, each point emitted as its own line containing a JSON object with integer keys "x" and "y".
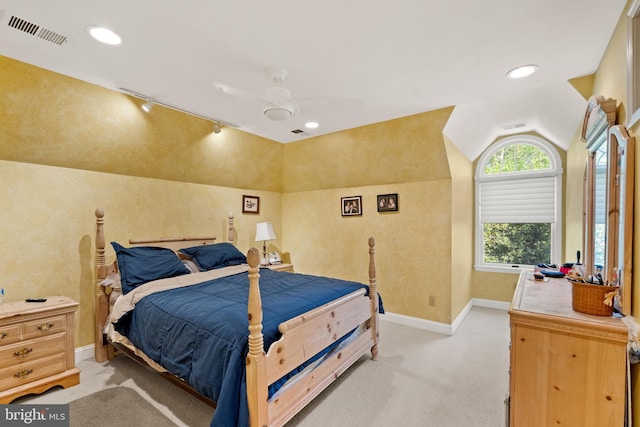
{"x": 608, "y": 199}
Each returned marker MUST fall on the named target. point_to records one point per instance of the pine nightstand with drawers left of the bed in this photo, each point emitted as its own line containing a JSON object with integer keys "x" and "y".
{"x": 37, "y": 348}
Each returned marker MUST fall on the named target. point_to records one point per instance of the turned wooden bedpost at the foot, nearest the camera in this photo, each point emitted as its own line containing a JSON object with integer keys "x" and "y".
{"x": 256, "y": 359}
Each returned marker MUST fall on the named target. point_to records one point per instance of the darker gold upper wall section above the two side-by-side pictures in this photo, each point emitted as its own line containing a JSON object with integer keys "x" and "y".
{"x": 409, "y": 149}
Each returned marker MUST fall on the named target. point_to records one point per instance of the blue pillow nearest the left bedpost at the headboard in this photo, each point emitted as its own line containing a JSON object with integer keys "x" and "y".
{"x": 142, "y": 264}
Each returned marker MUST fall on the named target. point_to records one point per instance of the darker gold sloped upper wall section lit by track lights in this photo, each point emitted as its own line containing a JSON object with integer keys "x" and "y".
{"x": 51, "y": 119}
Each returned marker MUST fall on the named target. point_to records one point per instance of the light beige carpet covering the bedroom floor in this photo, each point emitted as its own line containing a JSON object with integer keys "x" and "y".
{"x": 420, "y": 379}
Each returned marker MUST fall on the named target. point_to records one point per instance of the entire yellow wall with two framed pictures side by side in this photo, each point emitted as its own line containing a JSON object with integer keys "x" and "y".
{"x": 405, "y": 156}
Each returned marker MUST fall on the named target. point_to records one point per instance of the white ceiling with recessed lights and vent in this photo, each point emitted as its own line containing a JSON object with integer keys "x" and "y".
{"x": 348, "y": 63}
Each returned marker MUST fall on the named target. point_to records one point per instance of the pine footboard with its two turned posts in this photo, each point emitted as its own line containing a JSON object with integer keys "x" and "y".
{"x": 302, "y": 338}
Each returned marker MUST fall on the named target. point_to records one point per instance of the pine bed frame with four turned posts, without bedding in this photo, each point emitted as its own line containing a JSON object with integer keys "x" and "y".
{"x": 306, "y": 334}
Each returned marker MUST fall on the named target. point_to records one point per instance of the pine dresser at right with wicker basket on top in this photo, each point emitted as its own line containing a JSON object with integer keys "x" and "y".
{"x": 567, "y": 368}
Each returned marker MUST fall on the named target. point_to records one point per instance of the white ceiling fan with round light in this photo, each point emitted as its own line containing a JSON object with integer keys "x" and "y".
{"x": 277, "y": 103}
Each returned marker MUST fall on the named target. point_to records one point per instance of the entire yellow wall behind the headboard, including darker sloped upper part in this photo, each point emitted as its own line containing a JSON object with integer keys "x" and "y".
{"x": 68, "y": 147}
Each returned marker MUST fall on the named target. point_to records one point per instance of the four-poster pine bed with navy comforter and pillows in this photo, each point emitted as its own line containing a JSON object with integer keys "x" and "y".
{"x": 257, "y": 344}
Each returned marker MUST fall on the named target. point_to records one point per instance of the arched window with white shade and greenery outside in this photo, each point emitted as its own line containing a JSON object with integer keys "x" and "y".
{"x": 518, "y": 204}
